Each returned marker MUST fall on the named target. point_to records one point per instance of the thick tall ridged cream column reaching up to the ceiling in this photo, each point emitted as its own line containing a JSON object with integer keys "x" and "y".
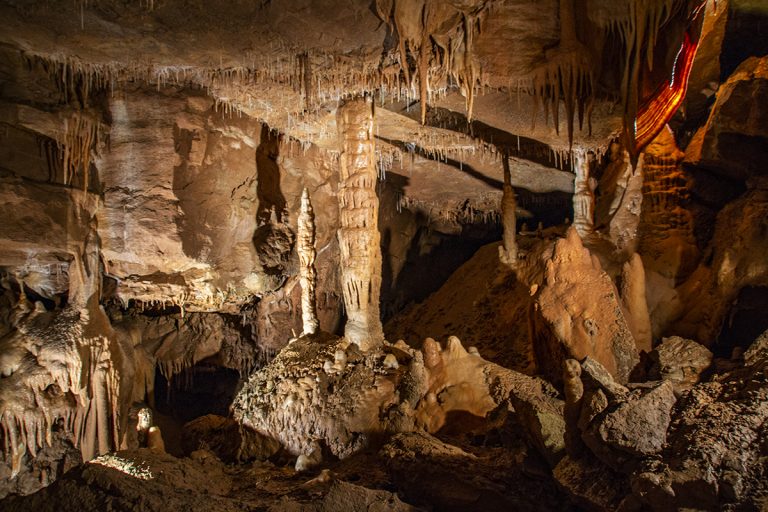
{"x": 359, "y": 234}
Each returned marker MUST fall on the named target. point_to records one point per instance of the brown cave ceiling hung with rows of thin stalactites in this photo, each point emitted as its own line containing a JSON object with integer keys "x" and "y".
{"x": 289, "y": 63}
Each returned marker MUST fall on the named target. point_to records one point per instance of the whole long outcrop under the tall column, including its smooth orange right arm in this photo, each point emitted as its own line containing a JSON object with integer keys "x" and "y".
{"x": 304, "y": 397}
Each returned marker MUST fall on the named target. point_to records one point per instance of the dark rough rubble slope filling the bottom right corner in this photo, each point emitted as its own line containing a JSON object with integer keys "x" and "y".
{"x": 716, "y": 455}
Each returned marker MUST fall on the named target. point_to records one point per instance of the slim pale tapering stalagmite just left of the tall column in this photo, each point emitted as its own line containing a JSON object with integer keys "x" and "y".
{"x": 306, "y": 248}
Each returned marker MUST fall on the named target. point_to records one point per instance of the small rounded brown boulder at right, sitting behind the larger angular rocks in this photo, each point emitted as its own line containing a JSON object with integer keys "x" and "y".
{"x": 680, "y": 361}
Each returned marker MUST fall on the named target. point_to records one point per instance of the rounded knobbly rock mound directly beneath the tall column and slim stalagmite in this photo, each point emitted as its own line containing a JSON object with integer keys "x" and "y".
{"x": 296, "y": 402}
